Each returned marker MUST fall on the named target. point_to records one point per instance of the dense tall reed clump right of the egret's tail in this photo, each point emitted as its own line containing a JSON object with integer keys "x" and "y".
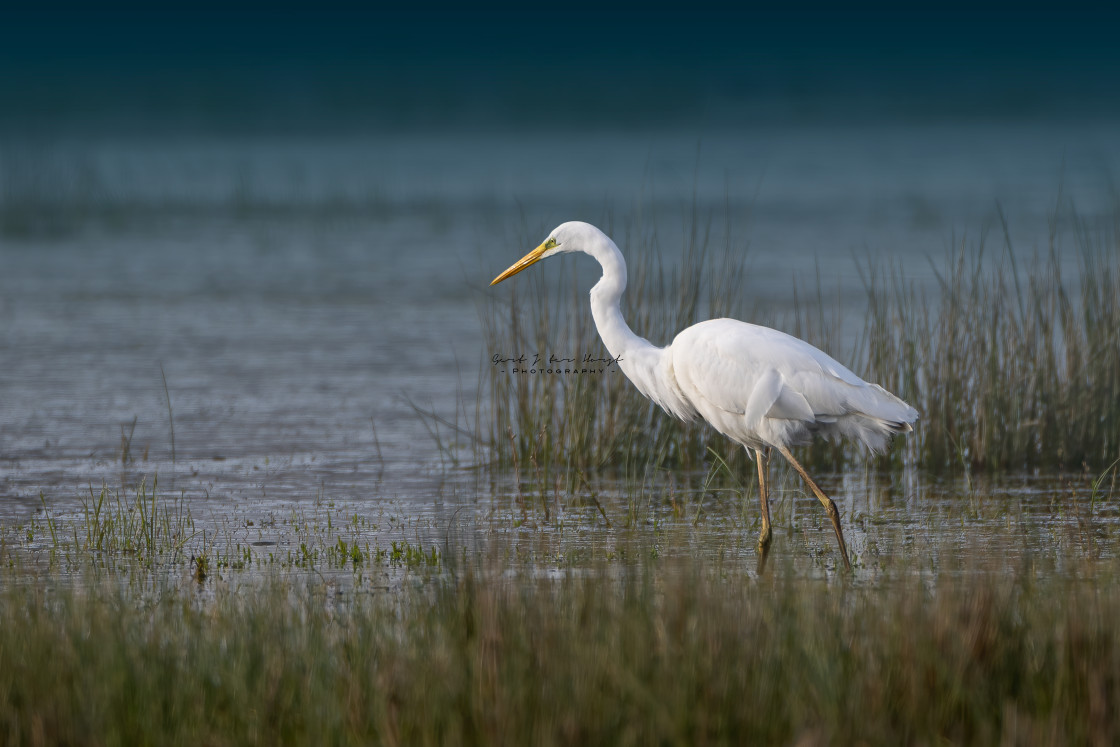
{"x": 1013, "y": 368}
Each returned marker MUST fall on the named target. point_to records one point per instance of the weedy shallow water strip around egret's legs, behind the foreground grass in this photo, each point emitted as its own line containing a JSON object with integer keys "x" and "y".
{"x": 898, "y": 528}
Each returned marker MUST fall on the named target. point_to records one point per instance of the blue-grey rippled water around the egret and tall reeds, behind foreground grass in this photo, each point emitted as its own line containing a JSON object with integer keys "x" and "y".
{"x": 305, "y": 298}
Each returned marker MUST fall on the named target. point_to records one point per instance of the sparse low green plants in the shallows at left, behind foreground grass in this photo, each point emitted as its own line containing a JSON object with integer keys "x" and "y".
{"x": 145, "y": 530}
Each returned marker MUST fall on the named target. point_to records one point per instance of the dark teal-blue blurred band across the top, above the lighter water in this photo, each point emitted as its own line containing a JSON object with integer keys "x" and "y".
{"x": 283, "y": 68}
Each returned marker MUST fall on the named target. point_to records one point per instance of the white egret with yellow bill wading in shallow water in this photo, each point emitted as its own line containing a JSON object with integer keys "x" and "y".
{"x": 757, "y": 386}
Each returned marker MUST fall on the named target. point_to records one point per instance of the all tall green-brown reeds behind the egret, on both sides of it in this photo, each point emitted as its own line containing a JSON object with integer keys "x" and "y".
{"x": 1013, "y": 362}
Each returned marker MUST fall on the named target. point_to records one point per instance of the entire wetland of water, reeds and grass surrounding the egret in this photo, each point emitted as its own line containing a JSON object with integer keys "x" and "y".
{"x": 264, "y": 480}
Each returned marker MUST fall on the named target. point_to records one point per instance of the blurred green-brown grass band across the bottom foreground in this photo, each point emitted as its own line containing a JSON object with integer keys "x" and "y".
{"x": 639, "y": 656}
